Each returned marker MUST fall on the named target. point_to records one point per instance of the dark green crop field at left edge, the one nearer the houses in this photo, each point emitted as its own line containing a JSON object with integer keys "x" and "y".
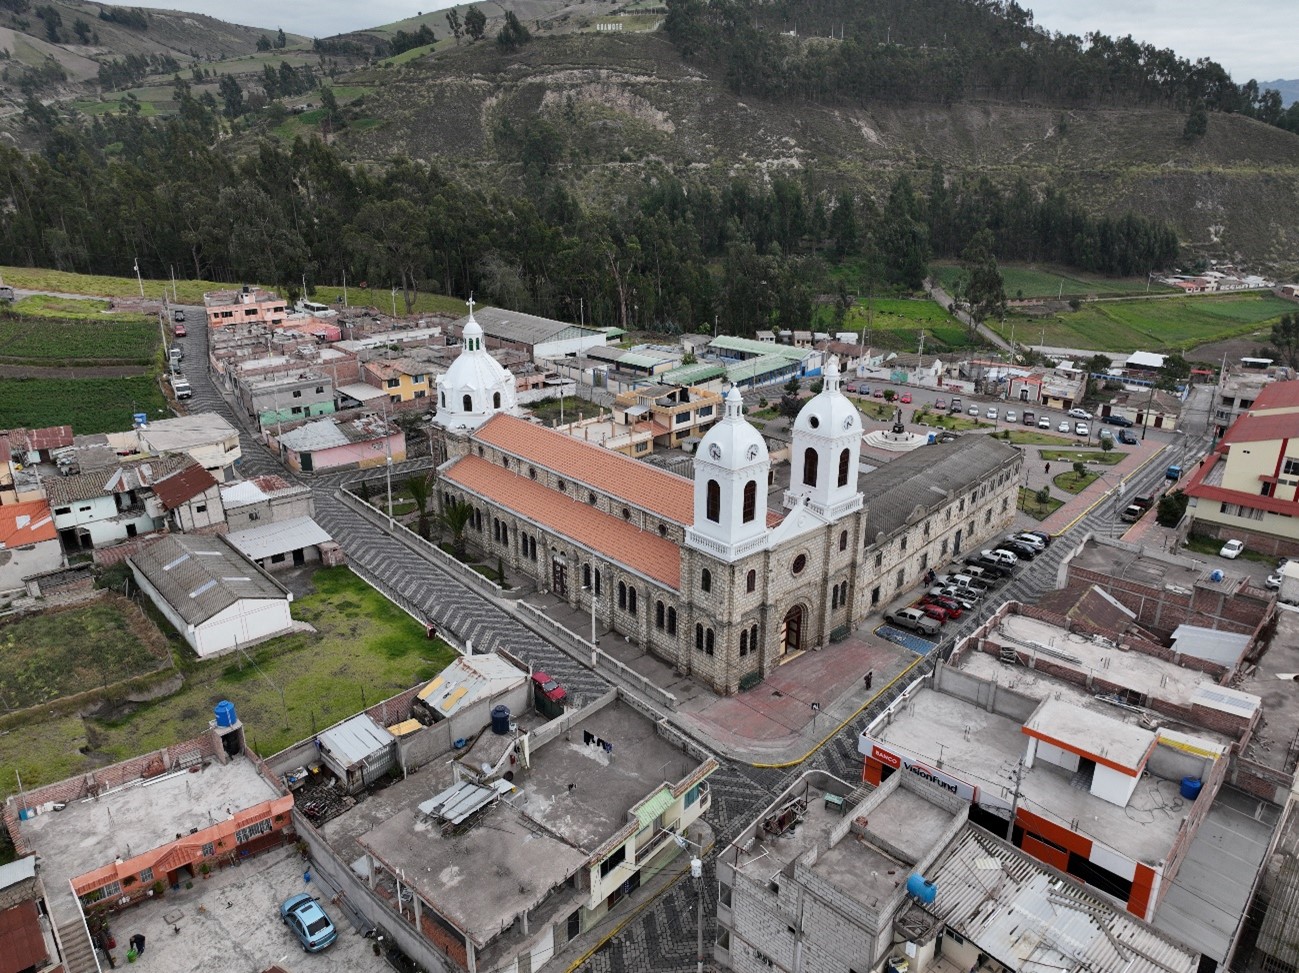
{"x": 86, "y": 405}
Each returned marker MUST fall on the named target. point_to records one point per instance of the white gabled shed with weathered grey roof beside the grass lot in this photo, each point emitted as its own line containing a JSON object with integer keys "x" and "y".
{"x": 214, "y": 596}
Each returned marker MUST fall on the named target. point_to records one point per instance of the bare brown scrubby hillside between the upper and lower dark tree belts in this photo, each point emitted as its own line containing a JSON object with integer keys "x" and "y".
{"x": 627, "y": 105}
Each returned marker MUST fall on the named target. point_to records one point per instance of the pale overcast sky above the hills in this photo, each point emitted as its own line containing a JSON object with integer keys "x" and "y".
{"x": 1252, "y": 40}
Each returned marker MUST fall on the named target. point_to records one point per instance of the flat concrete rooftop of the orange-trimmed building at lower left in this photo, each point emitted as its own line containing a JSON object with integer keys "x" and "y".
{"x": 140, "y": 816}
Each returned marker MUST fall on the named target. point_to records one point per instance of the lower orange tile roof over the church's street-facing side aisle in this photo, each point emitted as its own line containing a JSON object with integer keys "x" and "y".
{"x": 612, "y": 537}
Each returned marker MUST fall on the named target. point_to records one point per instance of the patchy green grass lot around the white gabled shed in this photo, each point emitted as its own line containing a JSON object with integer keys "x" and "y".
{"x": 366, "y": 650}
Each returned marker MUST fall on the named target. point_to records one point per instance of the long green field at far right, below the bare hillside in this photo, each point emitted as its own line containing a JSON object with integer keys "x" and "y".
{"x": 1150, "y": 325}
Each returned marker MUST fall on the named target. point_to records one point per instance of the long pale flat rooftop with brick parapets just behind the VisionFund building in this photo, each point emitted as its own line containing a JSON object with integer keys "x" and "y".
{"x": 1146, "y": 675}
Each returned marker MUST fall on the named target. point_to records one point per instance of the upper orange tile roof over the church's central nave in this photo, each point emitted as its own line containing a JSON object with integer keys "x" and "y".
{"x": 606, "y": 472}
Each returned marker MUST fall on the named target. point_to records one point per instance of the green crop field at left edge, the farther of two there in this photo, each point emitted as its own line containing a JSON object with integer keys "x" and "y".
{"x": 68, "y": 344}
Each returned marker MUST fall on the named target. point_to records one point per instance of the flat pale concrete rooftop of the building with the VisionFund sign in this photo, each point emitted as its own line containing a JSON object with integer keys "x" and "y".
{"x": 984, "y": 749}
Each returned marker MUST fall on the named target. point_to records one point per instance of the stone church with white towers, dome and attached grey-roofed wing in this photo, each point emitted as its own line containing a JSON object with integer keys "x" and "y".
{"x": 703, "y": 572}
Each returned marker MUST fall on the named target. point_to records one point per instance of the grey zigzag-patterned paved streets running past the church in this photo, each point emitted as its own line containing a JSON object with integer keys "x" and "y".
{"x": 662, "y": 937}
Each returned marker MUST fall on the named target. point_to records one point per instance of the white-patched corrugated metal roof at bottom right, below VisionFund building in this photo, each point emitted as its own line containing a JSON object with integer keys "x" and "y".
{"x": 1031, "y": 918}
